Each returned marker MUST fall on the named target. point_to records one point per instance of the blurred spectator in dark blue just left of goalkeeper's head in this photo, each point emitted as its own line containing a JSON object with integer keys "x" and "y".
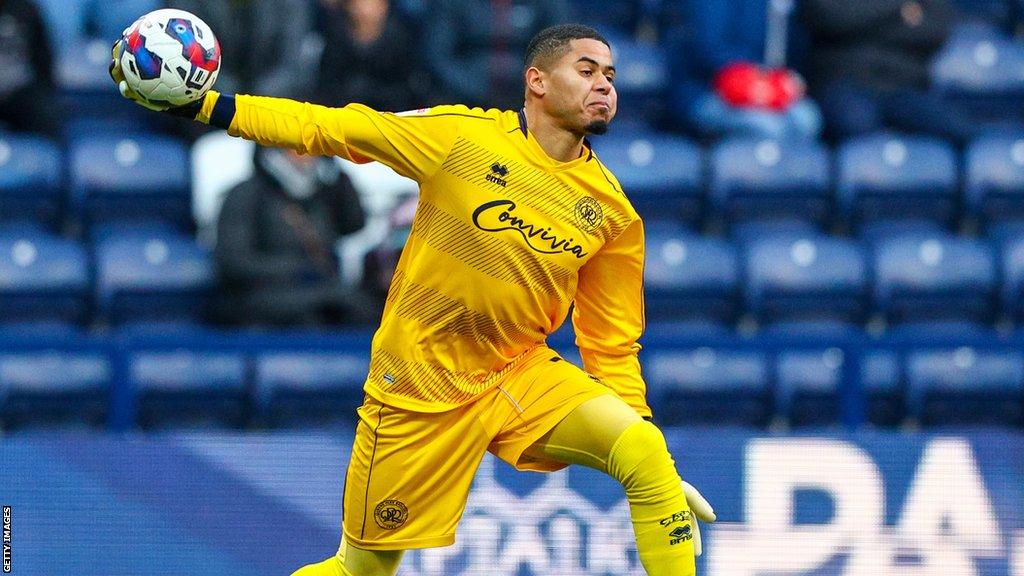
{"x": 476, "y": 48}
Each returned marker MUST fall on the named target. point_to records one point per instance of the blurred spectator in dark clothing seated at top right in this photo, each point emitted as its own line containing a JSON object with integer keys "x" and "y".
{"x": 870, "y": 67}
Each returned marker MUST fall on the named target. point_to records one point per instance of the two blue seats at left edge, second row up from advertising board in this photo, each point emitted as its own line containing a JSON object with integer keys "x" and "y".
{"x": 145, "y": 274}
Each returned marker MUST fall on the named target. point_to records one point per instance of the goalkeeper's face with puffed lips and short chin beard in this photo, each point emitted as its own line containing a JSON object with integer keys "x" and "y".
{"x": 580, "y": 92}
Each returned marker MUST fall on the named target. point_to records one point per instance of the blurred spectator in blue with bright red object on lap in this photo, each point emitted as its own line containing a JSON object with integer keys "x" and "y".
{"x": 732, "y": 59}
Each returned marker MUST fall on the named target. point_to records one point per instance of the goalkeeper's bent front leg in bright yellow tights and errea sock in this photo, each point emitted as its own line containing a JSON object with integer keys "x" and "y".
{"x": 606, "y": 434}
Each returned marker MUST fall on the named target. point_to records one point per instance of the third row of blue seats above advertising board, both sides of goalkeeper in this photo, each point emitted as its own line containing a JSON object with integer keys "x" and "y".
{"x": 883, "y": 177}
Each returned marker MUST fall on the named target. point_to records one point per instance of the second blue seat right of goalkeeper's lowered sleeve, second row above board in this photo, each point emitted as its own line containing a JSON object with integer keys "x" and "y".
{"x": 816, "y": 277}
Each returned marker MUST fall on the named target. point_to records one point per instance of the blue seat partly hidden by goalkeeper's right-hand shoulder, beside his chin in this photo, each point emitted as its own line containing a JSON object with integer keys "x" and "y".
{"x": 663, "y": 175}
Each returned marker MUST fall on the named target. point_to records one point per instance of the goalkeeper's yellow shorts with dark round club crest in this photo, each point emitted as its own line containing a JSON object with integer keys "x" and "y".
{"x": 410, "y": 473}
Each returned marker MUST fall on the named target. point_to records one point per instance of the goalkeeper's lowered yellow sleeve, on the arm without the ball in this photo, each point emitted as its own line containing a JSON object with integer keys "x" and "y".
{"x": 609, "y": 316}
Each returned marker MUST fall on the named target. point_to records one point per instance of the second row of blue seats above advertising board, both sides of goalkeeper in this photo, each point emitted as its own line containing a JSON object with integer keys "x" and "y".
{"x": 156, "y": 274}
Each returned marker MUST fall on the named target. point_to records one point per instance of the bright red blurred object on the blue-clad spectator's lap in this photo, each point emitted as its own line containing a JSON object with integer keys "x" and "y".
{"x": 745, "y": 85}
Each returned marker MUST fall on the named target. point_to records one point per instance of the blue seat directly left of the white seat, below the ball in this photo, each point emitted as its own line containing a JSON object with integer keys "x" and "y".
{"x": 131, "y": 179}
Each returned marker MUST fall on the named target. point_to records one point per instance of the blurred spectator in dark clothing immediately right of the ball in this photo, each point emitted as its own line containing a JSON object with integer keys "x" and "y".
{"x": 268, "y": 47}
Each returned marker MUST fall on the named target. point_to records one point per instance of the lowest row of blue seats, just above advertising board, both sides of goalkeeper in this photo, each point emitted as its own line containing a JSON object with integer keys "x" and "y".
{"x": 317, "y": 380}
